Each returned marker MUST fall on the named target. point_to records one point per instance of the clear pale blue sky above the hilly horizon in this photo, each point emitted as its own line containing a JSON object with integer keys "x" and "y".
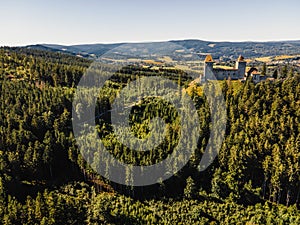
{"x": 96, "y": 21}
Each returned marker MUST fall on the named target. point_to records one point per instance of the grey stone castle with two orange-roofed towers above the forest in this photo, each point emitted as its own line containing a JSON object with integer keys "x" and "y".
{"x": 236, "y": 73}
